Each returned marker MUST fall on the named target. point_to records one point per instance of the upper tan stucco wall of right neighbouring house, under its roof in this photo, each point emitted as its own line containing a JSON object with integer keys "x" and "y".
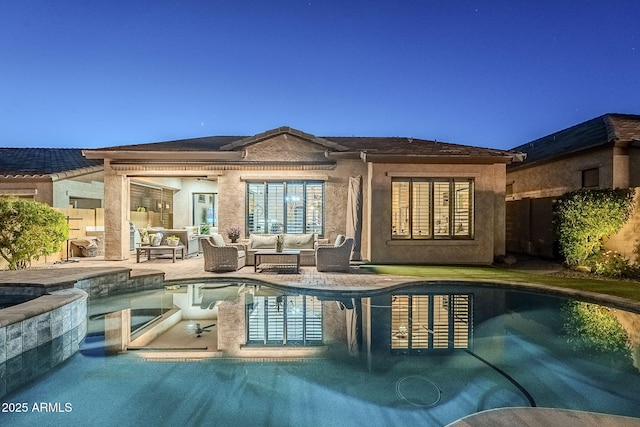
{"x": 556, "y": 178}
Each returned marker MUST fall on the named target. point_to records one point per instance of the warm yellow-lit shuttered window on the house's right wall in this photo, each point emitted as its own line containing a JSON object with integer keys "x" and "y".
{"x": 423, "y": 208}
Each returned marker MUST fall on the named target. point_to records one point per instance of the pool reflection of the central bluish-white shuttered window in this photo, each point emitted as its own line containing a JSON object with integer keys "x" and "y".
{"x": 290, "y": 320}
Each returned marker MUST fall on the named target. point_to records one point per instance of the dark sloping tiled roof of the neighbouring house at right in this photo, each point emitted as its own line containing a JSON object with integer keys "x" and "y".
{"x": 621, "y": 129}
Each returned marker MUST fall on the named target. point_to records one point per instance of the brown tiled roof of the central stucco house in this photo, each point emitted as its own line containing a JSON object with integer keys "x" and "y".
{"x": 373, "y": 146}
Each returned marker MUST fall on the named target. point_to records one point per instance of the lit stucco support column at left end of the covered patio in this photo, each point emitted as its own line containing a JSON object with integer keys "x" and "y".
{"x": 116, "y": 216}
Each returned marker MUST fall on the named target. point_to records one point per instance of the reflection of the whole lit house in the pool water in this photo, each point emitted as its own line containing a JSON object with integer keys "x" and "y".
{"x": 254, "y": 320}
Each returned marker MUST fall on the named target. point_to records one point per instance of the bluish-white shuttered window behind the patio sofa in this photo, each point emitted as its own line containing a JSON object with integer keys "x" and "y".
{"x": 293, "y": 207}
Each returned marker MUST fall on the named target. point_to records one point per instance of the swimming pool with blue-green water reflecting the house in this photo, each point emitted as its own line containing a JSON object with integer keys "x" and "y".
{"x": 424, "y": 354}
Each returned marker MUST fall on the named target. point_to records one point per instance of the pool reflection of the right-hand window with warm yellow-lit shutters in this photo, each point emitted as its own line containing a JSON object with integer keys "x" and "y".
{"x": 431, "y": 322}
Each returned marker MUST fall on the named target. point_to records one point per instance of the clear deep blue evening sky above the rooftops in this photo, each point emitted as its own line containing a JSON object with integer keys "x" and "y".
{"x": 485, "y": 73}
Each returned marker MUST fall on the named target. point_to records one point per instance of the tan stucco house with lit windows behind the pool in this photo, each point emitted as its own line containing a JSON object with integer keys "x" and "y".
{"x": 409, "y": 200}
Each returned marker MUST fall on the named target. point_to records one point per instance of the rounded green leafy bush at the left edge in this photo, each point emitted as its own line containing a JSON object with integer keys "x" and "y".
{"x": 29, "y": 230}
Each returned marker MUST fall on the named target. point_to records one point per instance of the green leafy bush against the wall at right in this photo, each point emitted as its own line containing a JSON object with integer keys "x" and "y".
{"x": 583, "y": 218}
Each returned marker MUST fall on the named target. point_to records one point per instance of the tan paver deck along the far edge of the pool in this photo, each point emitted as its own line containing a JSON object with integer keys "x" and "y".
{"x": 356, "y": 280}
